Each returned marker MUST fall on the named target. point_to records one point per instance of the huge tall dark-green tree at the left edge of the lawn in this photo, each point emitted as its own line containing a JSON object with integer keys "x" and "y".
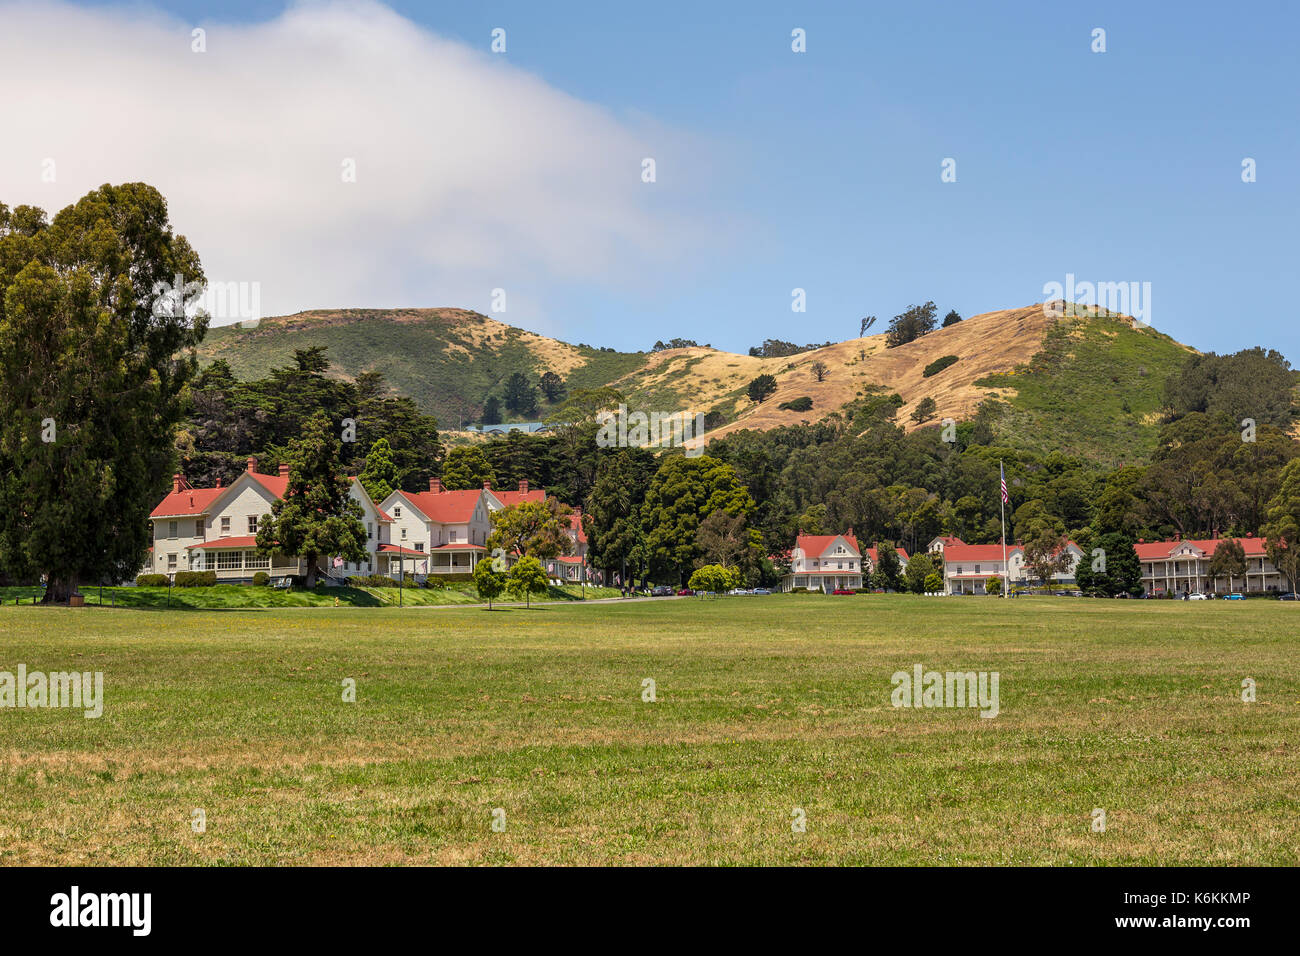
{"x": 96, "y": 349}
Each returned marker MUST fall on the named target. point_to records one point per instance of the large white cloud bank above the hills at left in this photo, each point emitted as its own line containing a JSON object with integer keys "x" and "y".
{"x": 473, "y": 175}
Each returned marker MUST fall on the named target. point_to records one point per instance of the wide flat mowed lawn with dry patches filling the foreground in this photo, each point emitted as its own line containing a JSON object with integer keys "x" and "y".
{"x": 765, "y": 706}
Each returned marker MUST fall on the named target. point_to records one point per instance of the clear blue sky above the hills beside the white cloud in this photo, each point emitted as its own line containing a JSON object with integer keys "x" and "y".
{"x": 822, "y": 170}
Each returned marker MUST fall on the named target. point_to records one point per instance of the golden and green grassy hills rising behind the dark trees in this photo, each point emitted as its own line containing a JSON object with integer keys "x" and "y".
{"x": 1090, "y": 386}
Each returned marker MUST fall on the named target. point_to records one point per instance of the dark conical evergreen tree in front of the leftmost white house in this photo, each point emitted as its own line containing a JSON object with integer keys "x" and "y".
{"x": 318, "y": 517}
